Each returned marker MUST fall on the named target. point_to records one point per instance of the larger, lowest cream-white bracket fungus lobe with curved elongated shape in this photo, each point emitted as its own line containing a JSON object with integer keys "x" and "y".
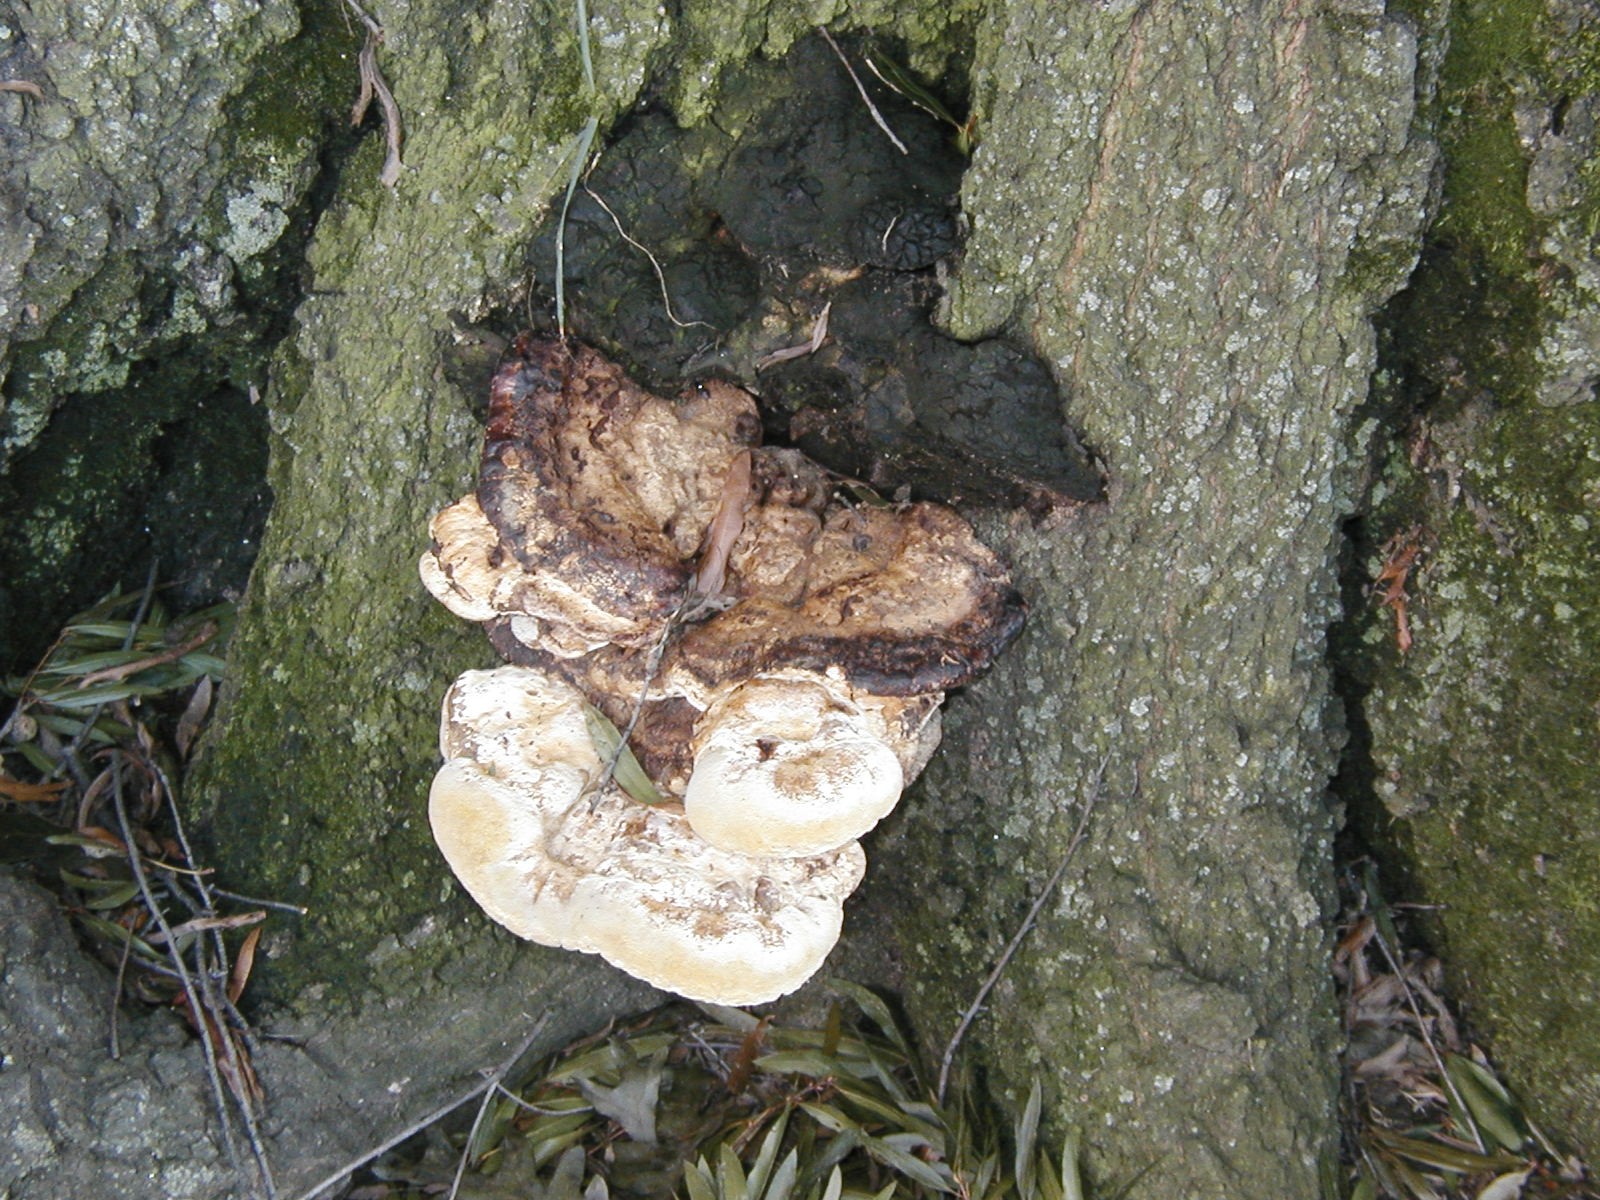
{"x": 516, "y": 815}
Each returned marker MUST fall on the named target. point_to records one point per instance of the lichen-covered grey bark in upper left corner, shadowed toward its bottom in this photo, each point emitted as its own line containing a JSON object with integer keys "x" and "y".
{"x": 146, "y": 209}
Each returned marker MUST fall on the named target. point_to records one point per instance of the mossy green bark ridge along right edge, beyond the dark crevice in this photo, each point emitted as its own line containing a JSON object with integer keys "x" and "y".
{"x": 1482, "y": 735}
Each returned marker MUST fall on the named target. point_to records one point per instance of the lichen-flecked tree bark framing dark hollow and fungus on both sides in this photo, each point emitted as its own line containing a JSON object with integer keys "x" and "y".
{"x": 1190, "y": 212}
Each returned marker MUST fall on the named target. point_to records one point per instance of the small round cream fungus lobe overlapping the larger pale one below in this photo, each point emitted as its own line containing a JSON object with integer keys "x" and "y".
{"x": 786, "y": 766}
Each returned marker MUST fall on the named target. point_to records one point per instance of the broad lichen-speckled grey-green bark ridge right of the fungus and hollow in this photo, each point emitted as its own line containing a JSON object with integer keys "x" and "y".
{"x": 1191, "y": 212}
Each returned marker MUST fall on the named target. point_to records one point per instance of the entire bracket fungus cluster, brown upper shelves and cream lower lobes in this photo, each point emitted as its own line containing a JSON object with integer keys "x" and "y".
{"x": 774, "y": 652}
